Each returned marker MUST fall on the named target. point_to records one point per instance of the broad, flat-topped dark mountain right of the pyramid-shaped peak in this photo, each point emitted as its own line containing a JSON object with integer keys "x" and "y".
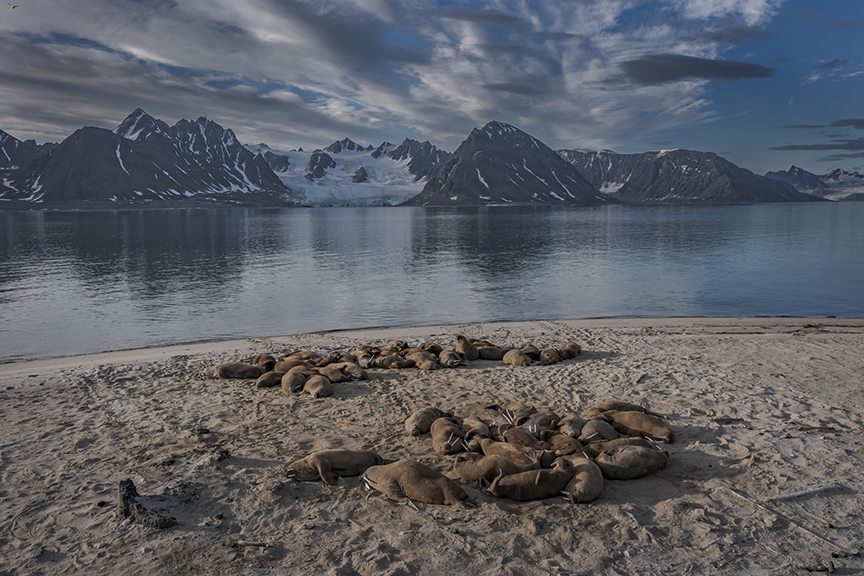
{"x": 676, "y": 177}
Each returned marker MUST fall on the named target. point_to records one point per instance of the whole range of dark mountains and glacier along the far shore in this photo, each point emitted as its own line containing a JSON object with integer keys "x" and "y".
{"x": 144, "y": 162}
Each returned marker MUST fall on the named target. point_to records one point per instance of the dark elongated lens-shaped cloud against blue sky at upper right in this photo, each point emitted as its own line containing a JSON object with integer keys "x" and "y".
{"x": 662, "y": 68}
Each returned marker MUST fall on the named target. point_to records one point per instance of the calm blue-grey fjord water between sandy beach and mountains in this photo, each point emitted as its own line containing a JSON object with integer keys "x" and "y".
{"x": 80, "y": 282}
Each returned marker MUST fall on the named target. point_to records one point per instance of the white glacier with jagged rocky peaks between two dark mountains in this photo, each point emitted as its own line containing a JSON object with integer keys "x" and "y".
{"x": 348, "y": 174}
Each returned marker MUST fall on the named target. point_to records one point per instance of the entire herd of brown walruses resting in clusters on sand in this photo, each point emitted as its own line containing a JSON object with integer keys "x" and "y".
{"x": 513, "y": 451}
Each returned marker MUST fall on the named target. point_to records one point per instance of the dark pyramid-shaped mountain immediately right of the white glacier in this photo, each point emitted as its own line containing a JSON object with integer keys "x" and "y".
{"x": 500, "y": 164}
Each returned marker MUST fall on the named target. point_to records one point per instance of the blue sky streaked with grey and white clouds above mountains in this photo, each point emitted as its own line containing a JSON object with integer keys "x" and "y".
{"x": 764, "y": 83}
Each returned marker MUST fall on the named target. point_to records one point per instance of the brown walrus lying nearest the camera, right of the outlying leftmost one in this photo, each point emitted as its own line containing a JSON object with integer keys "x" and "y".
{"x": 412, "y": 480}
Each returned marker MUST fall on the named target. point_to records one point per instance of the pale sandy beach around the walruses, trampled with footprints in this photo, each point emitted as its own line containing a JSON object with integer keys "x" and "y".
{"x": 763, "y": 409}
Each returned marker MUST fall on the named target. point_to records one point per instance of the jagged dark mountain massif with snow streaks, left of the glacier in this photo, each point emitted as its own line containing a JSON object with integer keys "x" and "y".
{"x": 144, "y": 161}
